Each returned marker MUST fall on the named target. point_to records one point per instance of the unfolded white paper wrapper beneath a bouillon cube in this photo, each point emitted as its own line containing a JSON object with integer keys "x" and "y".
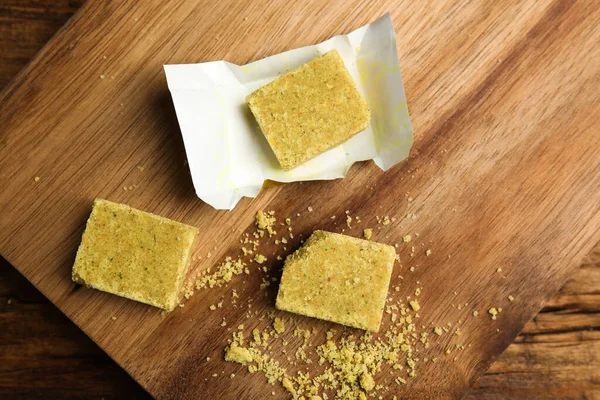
{"x": 229, "y": 157}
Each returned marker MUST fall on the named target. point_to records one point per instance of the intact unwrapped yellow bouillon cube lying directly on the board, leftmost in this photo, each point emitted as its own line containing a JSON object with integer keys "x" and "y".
{"x": 134, "y": 254}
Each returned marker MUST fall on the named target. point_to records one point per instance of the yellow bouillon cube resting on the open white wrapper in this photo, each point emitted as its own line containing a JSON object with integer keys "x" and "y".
{"x": 309, "y": 110}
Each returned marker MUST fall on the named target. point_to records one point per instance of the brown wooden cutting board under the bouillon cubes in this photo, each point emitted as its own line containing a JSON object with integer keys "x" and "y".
{"x": 503, "y": 179}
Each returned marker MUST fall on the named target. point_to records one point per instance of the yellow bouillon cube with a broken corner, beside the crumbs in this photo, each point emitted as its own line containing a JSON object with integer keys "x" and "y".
{"x": 338, "y": 278}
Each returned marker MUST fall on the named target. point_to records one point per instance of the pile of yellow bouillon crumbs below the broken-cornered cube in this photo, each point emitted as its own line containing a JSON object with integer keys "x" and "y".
{"x": 348, "y": 363}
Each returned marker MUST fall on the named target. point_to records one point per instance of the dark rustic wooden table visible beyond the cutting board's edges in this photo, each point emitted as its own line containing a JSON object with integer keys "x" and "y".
{"x": 43, "y": 355}
